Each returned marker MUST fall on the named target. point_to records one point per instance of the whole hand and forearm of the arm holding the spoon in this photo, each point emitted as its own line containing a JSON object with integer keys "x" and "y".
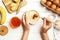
{"x": 46, "y": 26}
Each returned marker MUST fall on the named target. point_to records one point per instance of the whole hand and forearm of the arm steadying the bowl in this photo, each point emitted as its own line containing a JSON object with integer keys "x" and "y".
{"x": 26, "y": 28}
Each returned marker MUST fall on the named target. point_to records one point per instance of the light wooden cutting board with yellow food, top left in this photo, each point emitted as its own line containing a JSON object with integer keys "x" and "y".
{"x": 8, "y": 3}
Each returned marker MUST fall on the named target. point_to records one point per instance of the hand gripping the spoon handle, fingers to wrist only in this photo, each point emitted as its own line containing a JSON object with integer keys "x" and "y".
{"x": 46, "y": 25}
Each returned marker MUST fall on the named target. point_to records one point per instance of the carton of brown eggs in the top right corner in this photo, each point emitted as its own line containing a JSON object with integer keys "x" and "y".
{"x": 53, "y": 5}
